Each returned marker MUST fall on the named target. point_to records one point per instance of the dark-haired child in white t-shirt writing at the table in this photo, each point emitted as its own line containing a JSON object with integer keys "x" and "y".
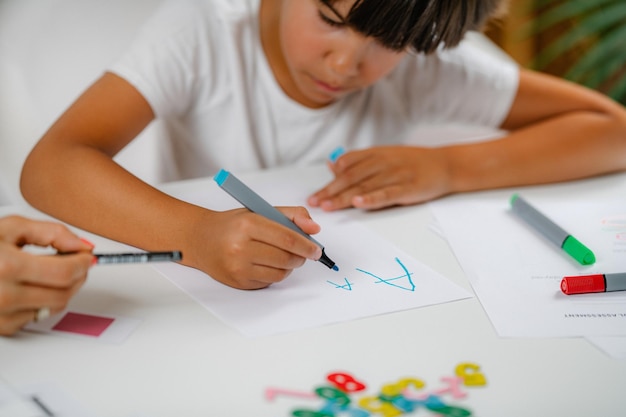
{"x": 251, "y": 84}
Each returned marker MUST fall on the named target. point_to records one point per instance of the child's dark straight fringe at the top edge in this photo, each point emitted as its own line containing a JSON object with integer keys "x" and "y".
{"x": 421, "y": 25}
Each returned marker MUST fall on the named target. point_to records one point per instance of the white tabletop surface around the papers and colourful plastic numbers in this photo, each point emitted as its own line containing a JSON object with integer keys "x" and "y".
{"x": 183, "y": 361}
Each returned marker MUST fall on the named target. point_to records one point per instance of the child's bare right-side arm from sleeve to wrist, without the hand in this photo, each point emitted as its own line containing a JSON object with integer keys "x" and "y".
{"x": 559, "y": 131}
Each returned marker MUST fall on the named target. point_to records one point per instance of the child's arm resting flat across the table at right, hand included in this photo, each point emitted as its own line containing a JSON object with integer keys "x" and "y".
{"x": 558, "y": 131}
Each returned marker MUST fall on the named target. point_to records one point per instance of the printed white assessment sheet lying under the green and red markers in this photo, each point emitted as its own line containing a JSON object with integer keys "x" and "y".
{"x": 516, "y": 273}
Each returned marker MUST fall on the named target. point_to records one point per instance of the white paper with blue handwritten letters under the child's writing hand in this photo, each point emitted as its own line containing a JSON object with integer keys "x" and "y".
{"x": 374, "y": 276}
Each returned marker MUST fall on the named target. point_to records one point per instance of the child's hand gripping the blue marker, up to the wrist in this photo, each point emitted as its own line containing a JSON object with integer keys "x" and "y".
{"x": 247, "y": 251}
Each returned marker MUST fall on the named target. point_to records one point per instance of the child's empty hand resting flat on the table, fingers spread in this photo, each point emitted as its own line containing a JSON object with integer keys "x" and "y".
{"x": 385, "y": 176}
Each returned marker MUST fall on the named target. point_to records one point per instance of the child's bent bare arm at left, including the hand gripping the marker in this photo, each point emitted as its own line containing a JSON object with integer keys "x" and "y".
{"x": 71, "y": 175}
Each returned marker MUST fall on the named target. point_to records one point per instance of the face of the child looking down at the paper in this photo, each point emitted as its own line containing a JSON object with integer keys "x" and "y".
{"x": 319, "y": 59}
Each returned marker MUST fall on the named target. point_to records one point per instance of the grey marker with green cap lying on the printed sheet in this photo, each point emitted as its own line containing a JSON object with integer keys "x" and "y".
{"x": 552, "y": 231}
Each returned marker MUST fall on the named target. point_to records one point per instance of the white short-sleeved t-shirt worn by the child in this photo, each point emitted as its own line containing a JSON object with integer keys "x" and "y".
{"x": 201, "y": 67}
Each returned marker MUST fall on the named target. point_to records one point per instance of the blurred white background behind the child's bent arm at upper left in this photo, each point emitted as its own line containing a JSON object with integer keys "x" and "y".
{"x": 50, "y": 51}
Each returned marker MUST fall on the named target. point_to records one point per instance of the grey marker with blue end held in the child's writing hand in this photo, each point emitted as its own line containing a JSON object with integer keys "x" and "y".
{"x": 255, "y": 203}
